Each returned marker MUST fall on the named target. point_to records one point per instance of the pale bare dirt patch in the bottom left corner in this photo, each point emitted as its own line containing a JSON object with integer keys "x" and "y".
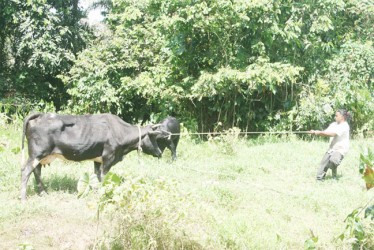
{"x": 58, "y": 221}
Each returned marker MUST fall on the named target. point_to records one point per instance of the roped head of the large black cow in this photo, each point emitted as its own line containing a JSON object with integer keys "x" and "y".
{"x": 149, "y": 141}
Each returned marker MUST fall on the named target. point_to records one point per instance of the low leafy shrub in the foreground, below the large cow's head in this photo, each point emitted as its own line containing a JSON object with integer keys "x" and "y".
{"x": 146, "y": 214}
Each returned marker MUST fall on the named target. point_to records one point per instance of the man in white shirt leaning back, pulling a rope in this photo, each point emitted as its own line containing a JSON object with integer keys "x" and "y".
{"x": 338, "y": 132}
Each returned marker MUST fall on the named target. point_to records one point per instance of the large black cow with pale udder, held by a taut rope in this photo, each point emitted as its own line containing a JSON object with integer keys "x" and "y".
{"x": 102, "y": 138}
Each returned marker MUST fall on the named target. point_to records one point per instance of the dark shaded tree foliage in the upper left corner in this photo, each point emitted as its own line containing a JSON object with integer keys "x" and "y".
{"x": 39, "y": 39}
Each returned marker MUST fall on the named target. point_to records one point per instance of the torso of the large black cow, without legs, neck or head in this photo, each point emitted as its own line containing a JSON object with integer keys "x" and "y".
{"x": 76, "y": 137}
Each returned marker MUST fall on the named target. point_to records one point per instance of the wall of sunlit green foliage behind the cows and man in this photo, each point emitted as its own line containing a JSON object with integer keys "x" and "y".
{"x": 256, "y": 65}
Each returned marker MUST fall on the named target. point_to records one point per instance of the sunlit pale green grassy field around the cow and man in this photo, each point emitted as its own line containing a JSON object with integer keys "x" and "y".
{"x": 246, "y": 195}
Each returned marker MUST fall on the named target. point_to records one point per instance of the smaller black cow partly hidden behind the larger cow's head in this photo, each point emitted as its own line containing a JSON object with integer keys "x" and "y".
{"x": 165, "y": 139}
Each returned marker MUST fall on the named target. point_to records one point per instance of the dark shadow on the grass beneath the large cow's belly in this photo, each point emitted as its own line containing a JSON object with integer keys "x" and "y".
{"x": 59, "y": 183}
